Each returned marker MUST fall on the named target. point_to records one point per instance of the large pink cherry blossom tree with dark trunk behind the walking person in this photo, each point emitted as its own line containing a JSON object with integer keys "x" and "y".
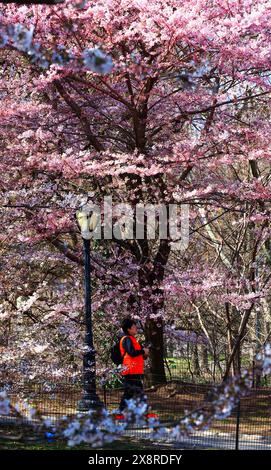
{"x": 182, "y": 117}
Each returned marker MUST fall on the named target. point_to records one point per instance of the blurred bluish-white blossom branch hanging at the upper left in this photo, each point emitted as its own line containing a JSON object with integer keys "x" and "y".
{"x": 21, "y": 38}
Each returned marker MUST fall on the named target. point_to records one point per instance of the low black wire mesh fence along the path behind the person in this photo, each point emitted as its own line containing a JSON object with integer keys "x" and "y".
{"x": 249, "y": 427}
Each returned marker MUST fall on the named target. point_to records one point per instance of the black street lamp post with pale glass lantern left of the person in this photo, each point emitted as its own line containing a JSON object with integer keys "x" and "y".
{"x": 87, "y": 222}
